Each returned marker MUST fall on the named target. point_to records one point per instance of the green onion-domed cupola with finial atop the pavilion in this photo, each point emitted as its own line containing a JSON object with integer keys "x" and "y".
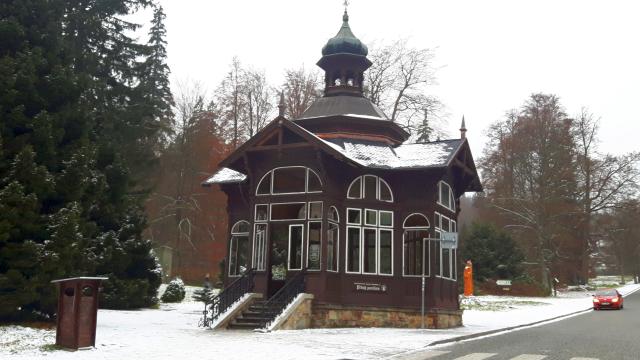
{"x": 344, "y": 61}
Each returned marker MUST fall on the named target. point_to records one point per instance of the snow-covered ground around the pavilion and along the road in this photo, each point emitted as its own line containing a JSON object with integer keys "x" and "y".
{"x": 171, "y": 332}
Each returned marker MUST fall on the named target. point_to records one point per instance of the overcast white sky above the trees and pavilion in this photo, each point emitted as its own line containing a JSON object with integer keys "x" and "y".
{"x": 492, "y": 54}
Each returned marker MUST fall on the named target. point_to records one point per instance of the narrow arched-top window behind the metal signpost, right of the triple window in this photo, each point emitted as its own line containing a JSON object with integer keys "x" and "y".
{"x": 415, "y": 245}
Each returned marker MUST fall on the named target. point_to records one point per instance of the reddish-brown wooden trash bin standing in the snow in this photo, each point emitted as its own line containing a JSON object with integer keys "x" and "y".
{"x": 77, "y": 311}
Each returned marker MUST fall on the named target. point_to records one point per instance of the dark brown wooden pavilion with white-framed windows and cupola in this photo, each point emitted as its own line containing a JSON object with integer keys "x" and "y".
{"x": 338, "y": 198}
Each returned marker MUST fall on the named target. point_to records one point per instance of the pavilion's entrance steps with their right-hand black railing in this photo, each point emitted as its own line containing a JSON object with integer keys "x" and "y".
{"x": 261, "y": 313}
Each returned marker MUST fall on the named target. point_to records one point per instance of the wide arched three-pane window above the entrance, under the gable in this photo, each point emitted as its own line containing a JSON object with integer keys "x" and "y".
{"x": 289, "y": 180}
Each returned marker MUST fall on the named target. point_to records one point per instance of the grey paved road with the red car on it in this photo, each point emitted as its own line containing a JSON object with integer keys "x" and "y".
{"x": 603, "y": 335}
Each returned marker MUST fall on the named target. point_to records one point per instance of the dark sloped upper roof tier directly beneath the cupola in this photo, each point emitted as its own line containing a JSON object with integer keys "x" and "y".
{"x": 353, "y": 106}
